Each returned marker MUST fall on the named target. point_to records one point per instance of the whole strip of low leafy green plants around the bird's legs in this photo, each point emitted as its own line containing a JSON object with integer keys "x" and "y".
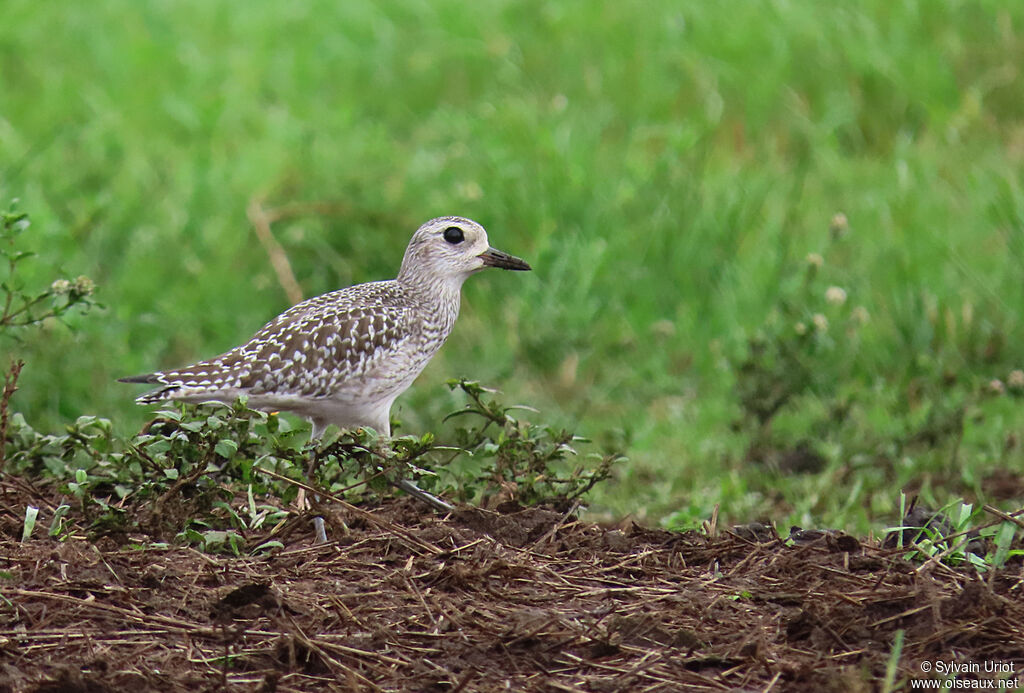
{"x": 194, "y": 473}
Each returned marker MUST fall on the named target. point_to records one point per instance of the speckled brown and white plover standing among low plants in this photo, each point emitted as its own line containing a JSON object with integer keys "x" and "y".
{"x": 344, "y": 358}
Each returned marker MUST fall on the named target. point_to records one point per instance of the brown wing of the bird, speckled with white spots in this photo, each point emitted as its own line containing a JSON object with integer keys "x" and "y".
{"x": 317, "y": 349}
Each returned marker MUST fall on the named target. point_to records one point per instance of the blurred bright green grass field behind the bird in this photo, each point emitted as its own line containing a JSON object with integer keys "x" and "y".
{"x": 666, "y": 167}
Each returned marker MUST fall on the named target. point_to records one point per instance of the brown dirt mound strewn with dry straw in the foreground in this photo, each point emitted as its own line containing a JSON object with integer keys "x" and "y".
{"x": 529, "y": 600}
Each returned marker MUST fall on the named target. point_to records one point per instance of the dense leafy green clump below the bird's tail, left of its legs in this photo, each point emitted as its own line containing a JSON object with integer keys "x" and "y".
{"x": 187, "y": 464}
